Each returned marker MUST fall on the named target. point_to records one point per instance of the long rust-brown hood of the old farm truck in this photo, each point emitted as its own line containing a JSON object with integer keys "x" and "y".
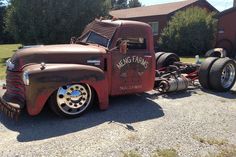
{"x": 70, "y": 53}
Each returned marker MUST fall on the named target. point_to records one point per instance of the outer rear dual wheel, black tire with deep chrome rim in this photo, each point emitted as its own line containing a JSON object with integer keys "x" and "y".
{"x": 223, "y": 74}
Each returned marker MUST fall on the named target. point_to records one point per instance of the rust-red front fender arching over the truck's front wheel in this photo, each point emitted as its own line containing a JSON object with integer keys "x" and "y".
{"x": 42, "y": 83}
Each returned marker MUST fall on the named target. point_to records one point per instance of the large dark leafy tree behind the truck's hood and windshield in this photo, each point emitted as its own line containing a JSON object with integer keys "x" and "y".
{"x": 51, "y": 21}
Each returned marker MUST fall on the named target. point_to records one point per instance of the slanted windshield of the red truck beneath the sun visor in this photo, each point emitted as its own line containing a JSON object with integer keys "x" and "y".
{"x": 95, "y": 38}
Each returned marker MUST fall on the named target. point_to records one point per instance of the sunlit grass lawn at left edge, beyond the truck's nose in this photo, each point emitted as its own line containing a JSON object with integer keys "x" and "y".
{"x": 6, "y": 51}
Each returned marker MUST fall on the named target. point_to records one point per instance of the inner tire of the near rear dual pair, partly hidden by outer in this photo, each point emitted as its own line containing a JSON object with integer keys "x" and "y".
{"x": 204, "y": 72}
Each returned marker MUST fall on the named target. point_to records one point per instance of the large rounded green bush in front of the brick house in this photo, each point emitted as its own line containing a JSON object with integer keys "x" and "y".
{"x": 189, "y": 32}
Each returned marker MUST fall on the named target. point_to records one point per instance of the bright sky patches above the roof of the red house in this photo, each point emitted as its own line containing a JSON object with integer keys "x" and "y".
{"x": 218, "y": 4}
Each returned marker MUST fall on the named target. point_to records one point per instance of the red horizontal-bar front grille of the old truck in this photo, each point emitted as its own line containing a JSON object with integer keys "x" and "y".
{"x": 15, "y": 86}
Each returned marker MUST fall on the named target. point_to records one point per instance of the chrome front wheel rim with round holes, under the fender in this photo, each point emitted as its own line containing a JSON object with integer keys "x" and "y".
{"x": 73, "y": 99}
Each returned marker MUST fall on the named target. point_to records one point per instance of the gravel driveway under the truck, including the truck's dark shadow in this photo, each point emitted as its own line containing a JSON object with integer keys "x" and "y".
{"x": 194, "y": 123}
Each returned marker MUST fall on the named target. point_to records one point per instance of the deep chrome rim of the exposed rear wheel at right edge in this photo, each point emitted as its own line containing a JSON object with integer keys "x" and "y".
{"x": 228, "y": 76}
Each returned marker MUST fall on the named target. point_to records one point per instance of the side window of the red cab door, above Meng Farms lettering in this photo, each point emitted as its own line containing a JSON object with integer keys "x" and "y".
{"x": 134, "y": 43}
